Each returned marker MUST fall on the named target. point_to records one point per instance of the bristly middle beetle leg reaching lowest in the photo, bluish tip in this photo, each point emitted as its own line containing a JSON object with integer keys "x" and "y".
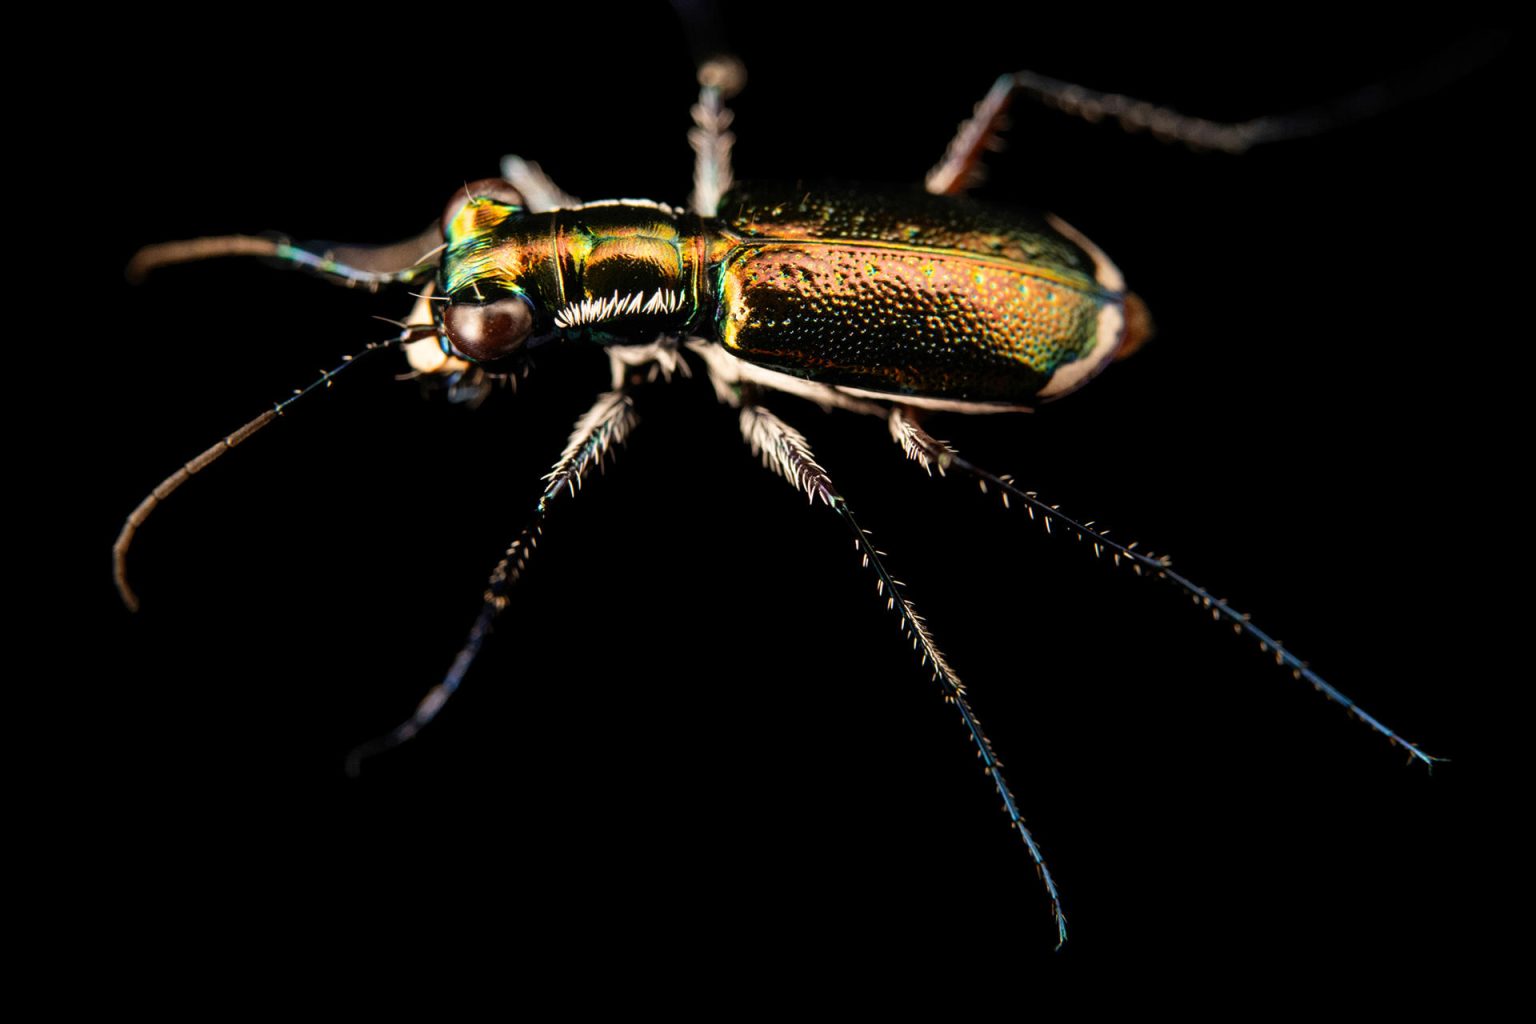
{"x": 787, "y": 452}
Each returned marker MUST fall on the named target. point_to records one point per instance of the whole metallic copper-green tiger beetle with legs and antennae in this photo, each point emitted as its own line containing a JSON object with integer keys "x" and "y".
{"x": 882, "y": 303}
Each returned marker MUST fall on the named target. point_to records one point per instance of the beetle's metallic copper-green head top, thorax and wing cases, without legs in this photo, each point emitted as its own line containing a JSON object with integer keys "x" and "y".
{"x": 936, "y": 300}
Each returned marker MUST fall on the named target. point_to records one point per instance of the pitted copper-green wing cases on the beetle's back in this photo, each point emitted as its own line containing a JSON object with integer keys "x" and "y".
{"x": 904, "y": 294}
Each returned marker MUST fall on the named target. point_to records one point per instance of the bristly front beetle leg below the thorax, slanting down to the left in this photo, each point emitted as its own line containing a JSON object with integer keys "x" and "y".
{"x": 597, "y": 434}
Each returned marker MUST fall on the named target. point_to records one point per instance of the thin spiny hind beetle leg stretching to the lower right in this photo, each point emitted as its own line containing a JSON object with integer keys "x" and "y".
{"x": 932, "y": 454}
